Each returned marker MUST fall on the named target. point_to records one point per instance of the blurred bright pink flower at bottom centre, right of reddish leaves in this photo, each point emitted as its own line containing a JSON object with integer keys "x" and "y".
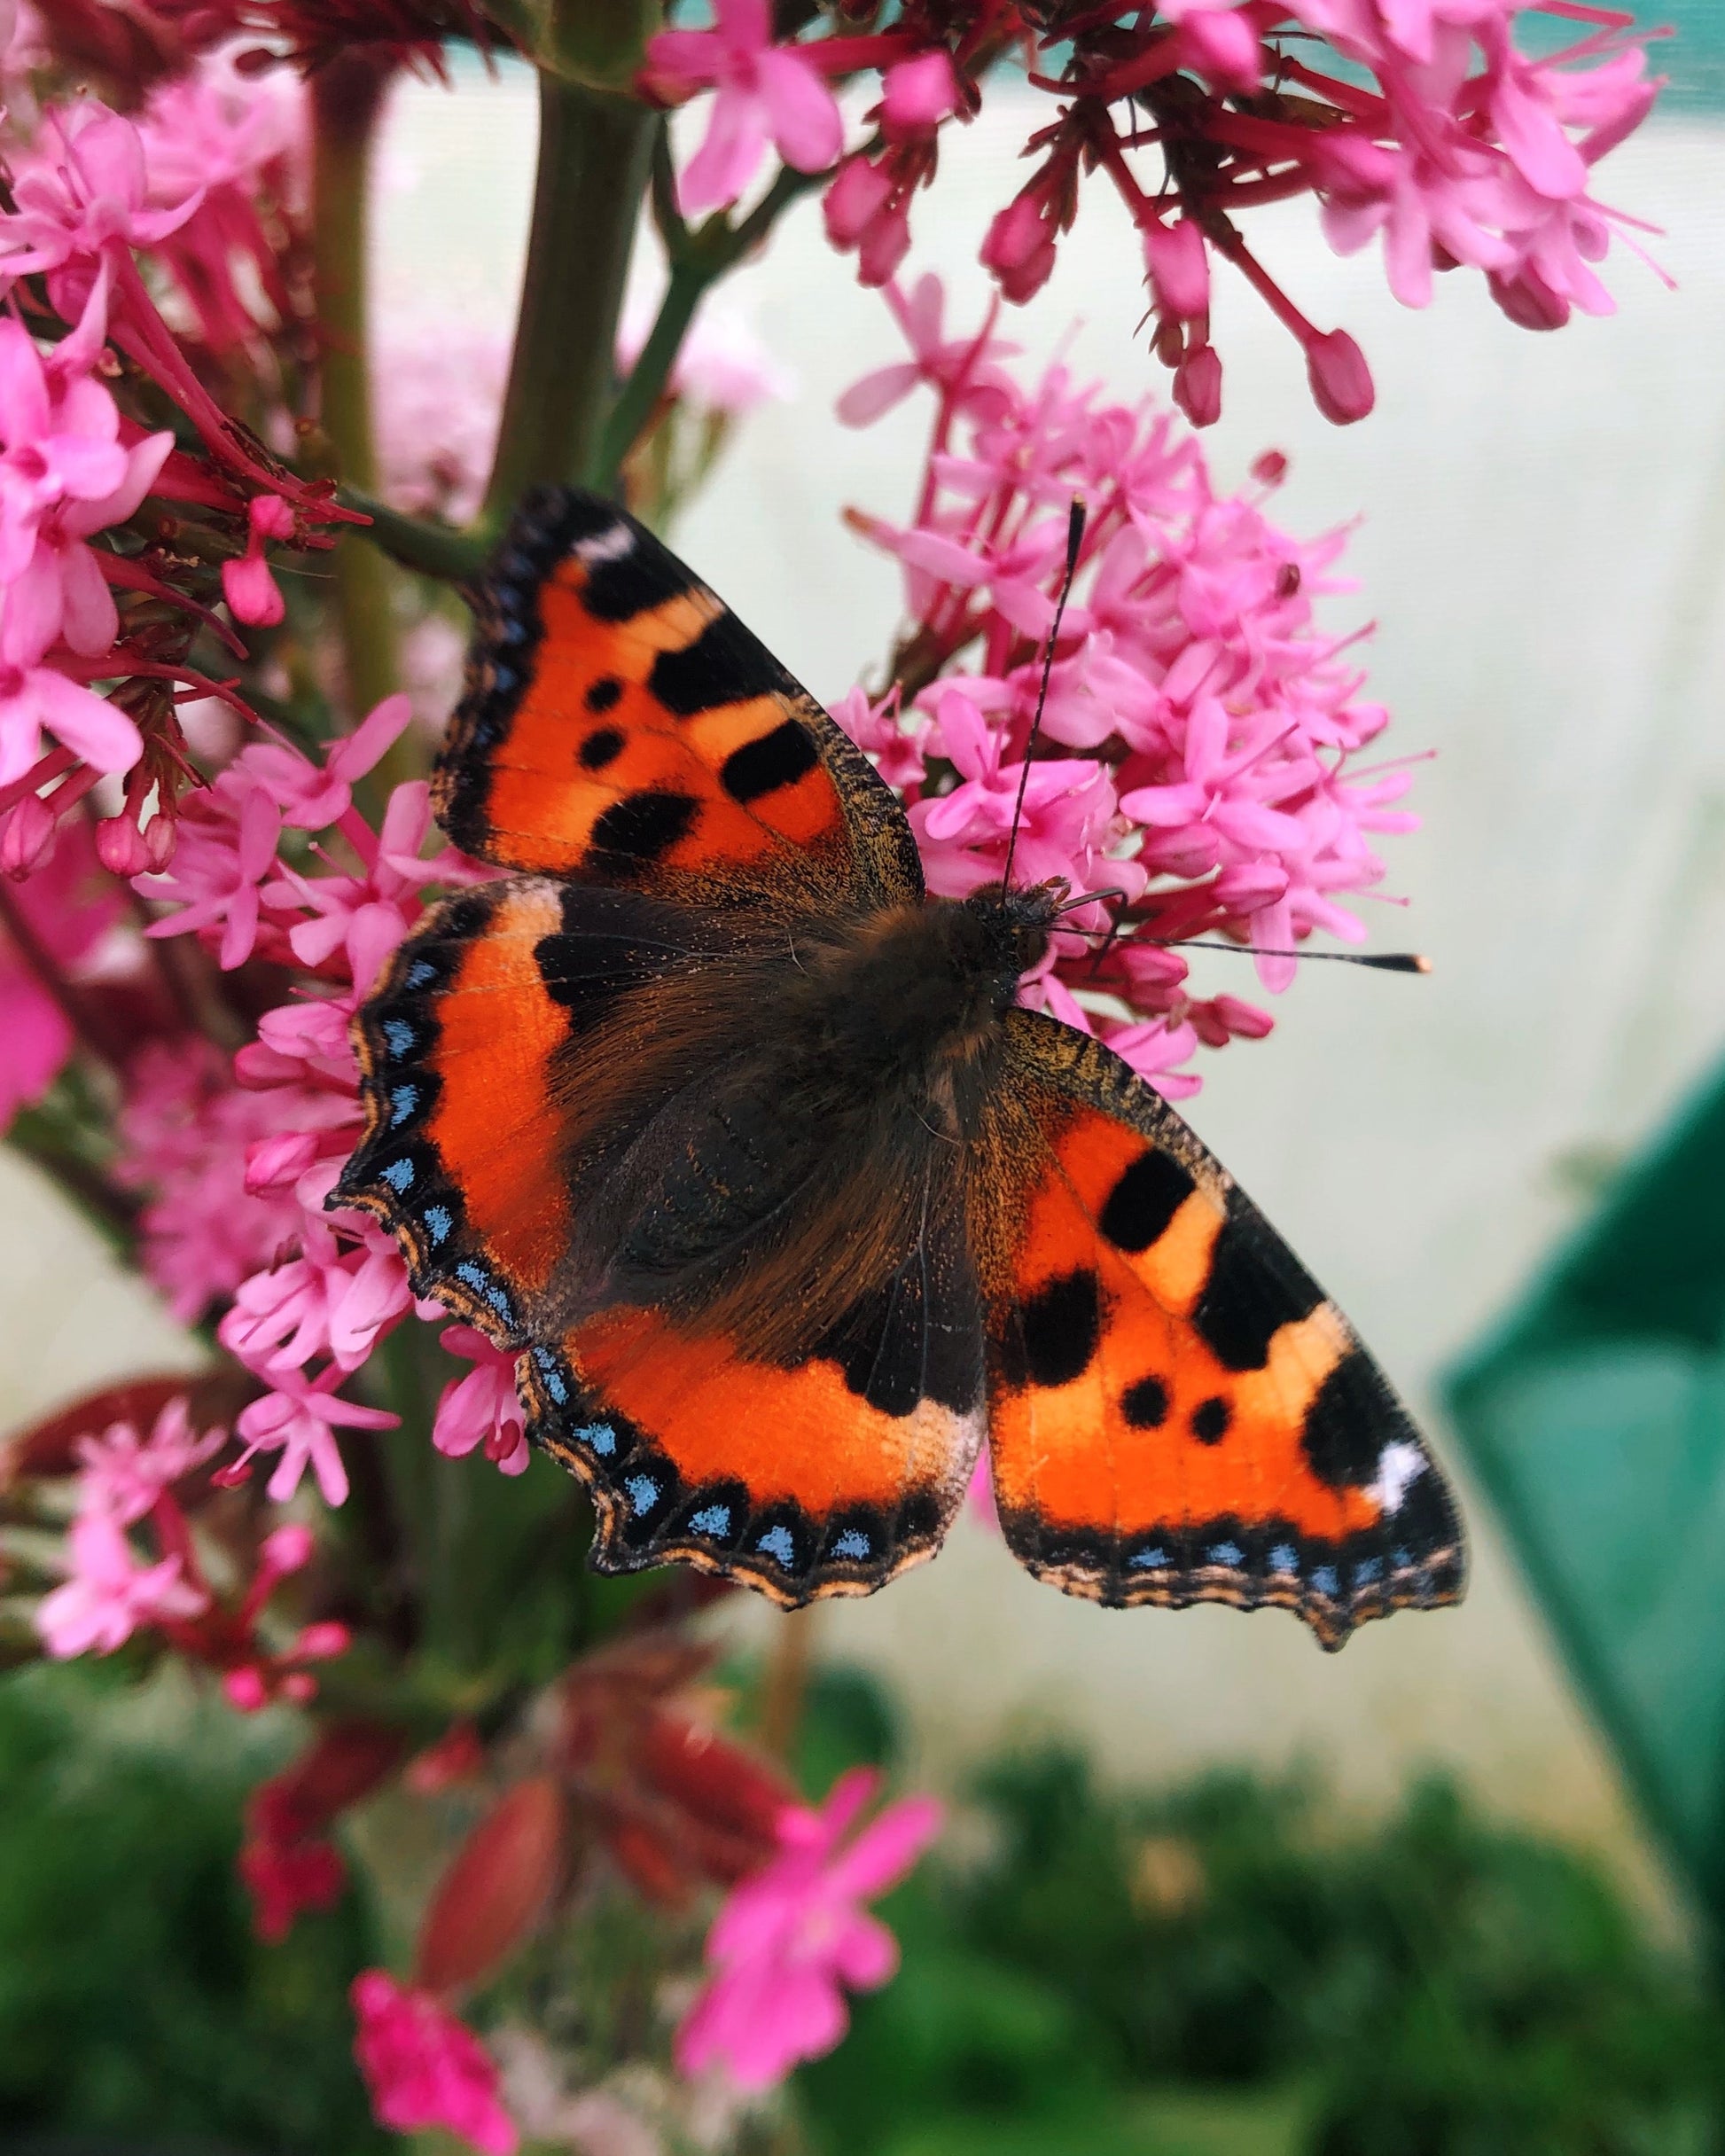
{"x": 795, "y": 1937}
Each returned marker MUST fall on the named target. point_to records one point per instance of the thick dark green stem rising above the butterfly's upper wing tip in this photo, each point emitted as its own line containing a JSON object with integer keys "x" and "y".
{"x": 594, "y": 154}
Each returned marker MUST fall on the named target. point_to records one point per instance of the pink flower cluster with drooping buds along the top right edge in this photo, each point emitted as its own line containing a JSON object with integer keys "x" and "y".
{"x": 1424, "y": 122}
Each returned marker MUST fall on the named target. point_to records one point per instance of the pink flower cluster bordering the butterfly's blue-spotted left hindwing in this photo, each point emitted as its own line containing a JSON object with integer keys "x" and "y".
{"x": 236, "y": 1170}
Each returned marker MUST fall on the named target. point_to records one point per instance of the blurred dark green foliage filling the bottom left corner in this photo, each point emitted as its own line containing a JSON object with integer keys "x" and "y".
{"x": 135, "y": 2002}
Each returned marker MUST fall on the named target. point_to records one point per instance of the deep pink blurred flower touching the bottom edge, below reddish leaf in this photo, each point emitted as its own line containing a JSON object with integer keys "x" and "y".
{"x": 426, "y": 2069}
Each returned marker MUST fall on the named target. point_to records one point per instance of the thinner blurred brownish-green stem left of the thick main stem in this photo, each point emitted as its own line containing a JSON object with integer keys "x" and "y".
{"x": 348, "y": 96}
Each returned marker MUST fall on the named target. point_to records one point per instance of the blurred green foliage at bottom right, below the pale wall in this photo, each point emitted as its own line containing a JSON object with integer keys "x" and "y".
{"x": 1237, "y": 1970}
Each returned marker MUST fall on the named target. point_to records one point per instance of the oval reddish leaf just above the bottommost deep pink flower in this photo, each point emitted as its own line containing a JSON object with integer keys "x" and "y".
{"x": 495, "y": 1888}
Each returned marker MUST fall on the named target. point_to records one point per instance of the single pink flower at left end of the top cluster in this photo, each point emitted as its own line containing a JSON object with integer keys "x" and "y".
{"x": 764, "y": 94}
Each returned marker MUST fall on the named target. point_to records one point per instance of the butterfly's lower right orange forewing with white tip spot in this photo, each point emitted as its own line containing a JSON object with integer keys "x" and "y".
{"x": 1176, "y": 1411}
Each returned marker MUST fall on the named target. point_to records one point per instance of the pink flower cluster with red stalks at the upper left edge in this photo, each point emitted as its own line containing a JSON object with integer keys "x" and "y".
{"x": 189, "y": 186}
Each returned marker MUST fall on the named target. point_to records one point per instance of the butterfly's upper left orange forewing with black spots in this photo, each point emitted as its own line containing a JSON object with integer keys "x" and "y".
{"x": 622, "y": 728}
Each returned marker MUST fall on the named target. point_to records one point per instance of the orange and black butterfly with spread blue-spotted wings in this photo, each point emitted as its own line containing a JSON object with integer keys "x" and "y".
{"x": 747, "y": 1150}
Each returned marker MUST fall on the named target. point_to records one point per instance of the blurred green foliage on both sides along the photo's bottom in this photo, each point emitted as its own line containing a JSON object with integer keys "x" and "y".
{"x": 1230, "y": 1970}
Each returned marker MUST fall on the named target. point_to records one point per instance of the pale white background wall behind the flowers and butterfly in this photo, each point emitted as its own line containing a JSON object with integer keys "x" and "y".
{"x": 1545, "y": 549}
